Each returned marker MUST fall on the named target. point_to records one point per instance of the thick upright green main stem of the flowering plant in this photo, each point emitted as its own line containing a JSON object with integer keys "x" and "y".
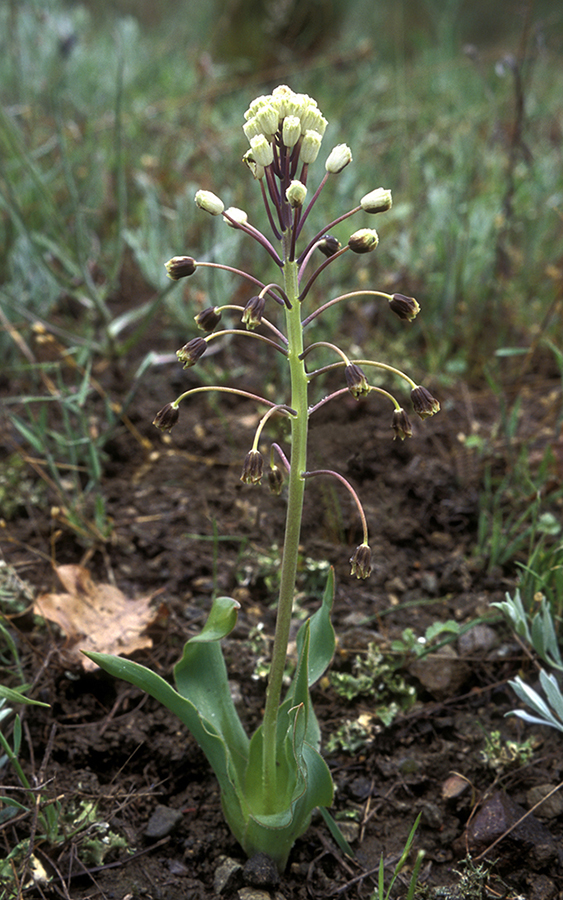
{"x": 296, "y": 487}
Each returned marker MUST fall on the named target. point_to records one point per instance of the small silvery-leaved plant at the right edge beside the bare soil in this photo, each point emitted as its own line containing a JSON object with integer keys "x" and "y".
{"x": 539, "y": 632}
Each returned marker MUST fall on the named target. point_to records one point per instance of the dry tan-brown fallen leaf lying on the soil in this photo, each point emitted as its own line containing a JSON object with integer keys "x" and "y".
{"x": 96, "y": 617}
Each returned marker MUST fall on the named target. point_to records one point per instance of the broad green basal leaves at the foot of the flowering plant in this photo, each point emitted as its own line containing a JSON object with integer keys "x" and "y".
{"x": 202, "y": 701}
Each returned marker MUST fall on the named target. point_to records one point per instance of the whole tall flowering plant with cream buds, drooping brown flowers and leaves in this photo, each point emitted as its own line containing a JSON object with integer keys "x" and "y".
{"x": 271, "y": 782}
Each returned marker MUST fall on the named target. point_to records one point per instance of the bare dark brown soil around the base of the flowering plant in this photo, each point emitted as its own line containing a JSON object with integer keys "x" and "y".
{"x": 103, "y": 741}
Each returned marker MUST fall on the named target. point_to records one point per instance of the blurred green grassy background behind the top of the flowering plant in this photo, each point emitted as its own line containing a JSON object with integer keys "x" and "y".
{"x": 114, "y": 113}
